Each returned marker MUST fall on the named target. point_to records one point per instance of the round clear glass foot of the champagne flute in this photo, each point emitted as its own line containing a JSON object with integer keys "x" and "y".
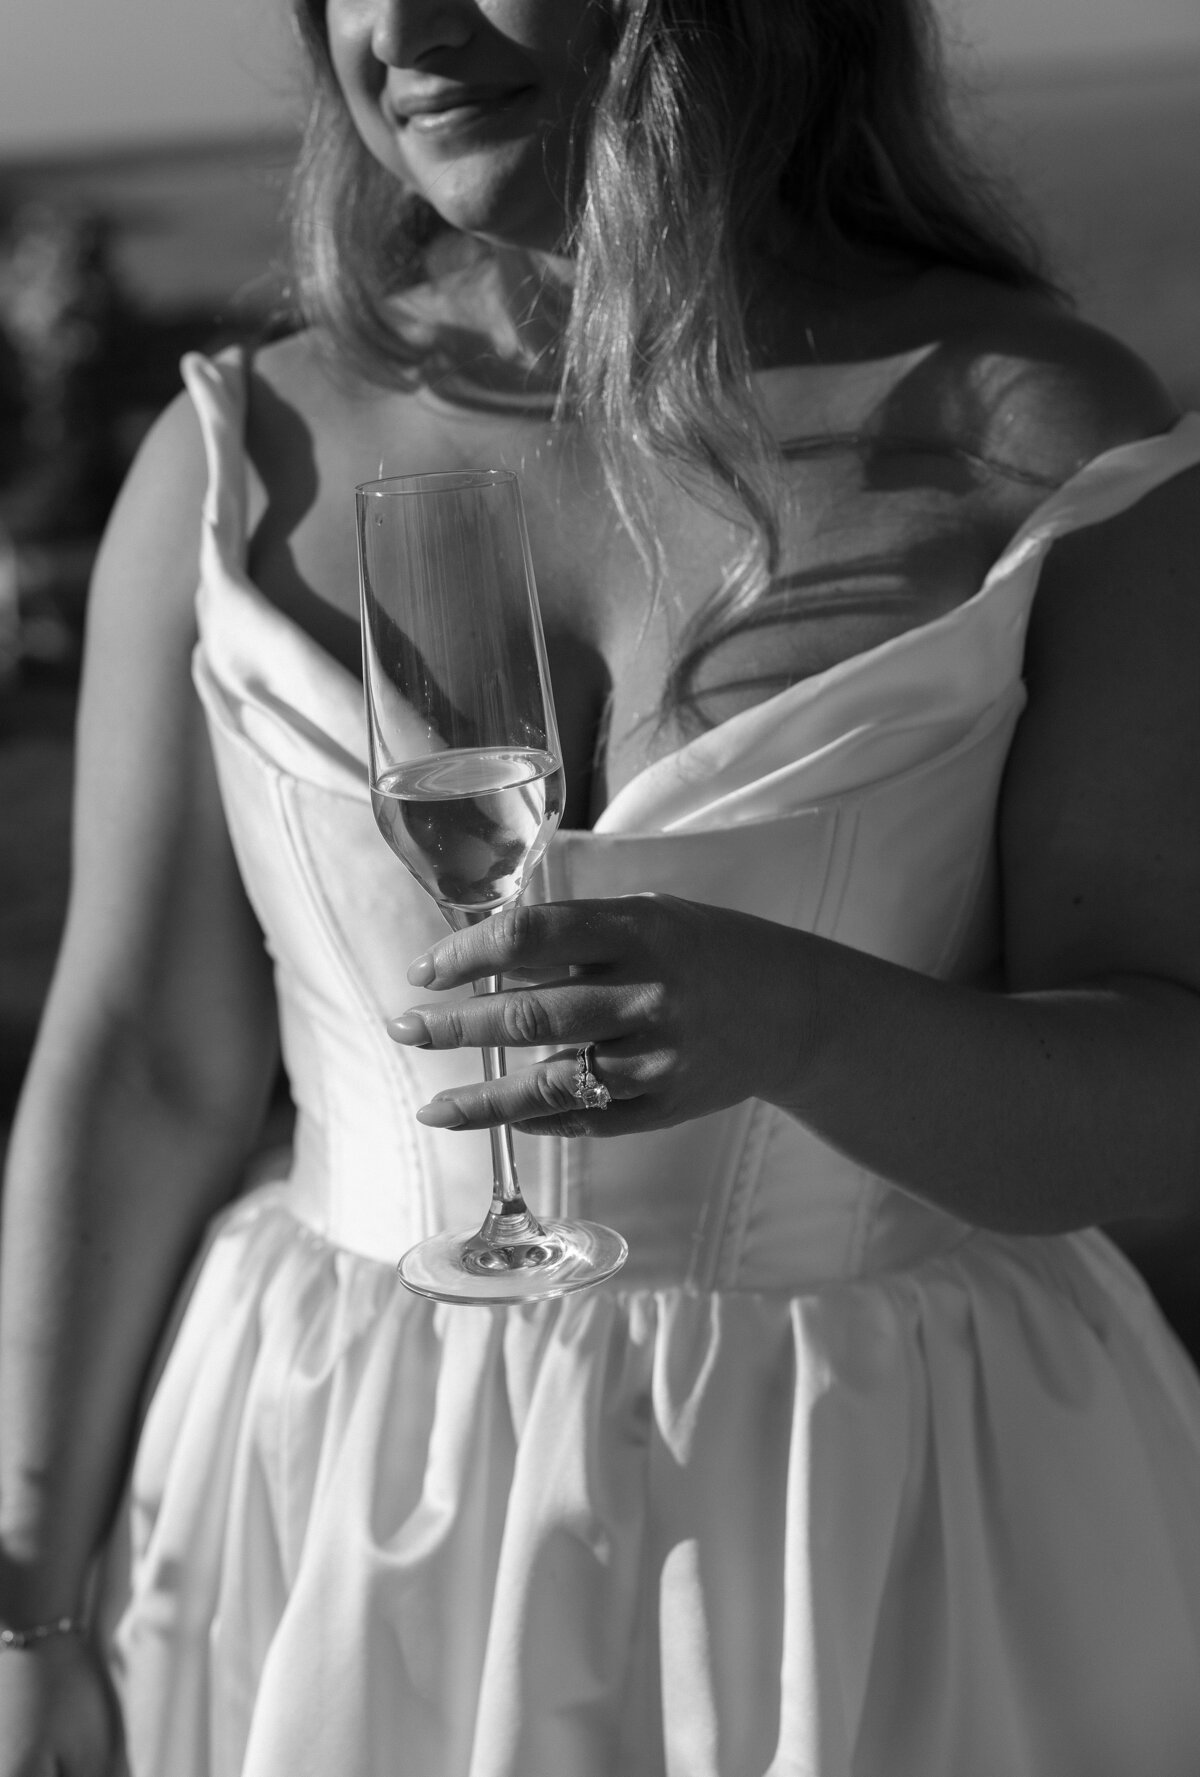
{"x": 552, "y": 1259}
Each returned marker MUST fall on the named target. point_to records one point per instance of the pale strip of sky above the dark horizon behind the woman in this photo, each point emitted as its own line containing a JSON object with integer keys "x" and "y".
{"x": 102, "y": 74}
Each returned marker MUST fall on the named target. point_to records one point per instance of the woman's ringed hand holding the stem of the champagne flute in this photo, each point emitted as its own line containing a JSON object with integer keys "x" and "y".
{"x": 691, "y": 1008}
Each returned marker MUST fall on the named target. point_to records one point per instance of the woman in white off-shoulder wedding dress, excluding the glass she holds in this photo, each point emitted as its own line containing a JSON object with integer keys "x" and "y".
{"x": 876, "y": 896}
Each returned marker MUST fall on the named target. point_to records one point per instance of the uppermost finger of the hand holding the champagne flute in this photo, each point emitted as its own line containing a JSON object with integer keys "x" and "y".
{"x": 552, "y": 937}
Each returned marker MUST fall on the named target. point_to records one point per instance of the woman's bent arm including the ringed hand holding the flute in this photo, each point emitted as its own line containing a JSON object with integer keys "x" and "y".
{"x": 1073, "y": 1097}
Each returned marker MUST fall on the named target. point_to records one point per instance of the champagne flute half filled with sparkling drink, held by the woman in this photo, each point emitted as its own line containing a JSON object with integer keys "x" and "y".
{"x": 467, "y": 788}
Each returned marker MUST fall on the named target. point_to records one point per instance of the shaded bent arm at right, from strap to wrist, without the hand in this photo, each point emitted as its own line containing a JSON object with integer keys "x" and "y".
{"x": 1075, "y": 1097}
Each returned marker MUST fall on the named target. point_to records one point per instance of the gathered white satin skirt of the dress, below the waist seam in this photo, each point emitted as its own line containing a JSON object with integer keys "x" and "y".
{"x": 932, "y": 1524}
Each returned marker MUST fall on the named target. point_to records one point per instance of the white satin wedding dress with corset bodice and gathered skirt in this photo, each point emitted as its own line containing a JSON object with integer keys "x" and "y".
{"x": 826, "y": 1483}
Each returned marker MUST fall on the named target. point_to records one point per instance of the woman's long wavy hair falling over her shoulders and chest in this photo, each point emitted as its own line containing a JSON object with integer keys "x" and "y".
{"x": 716, "y": 122}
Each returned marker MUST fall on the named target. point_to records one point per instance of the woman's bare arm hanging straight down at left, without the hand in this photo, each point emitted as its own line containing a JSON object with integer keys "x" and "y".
{"x": 154, "y": 1058}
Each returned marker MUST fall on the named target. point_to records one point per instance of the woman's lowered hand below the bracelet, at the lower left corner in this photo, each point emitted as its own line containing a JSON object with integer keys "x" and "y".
{"x": 58, "y": 1714}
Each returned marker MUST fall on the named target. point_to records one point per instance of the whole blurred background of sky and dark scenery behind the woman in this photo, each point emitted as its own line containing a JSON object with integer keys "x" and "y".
{"x": 145, "y": 148}
